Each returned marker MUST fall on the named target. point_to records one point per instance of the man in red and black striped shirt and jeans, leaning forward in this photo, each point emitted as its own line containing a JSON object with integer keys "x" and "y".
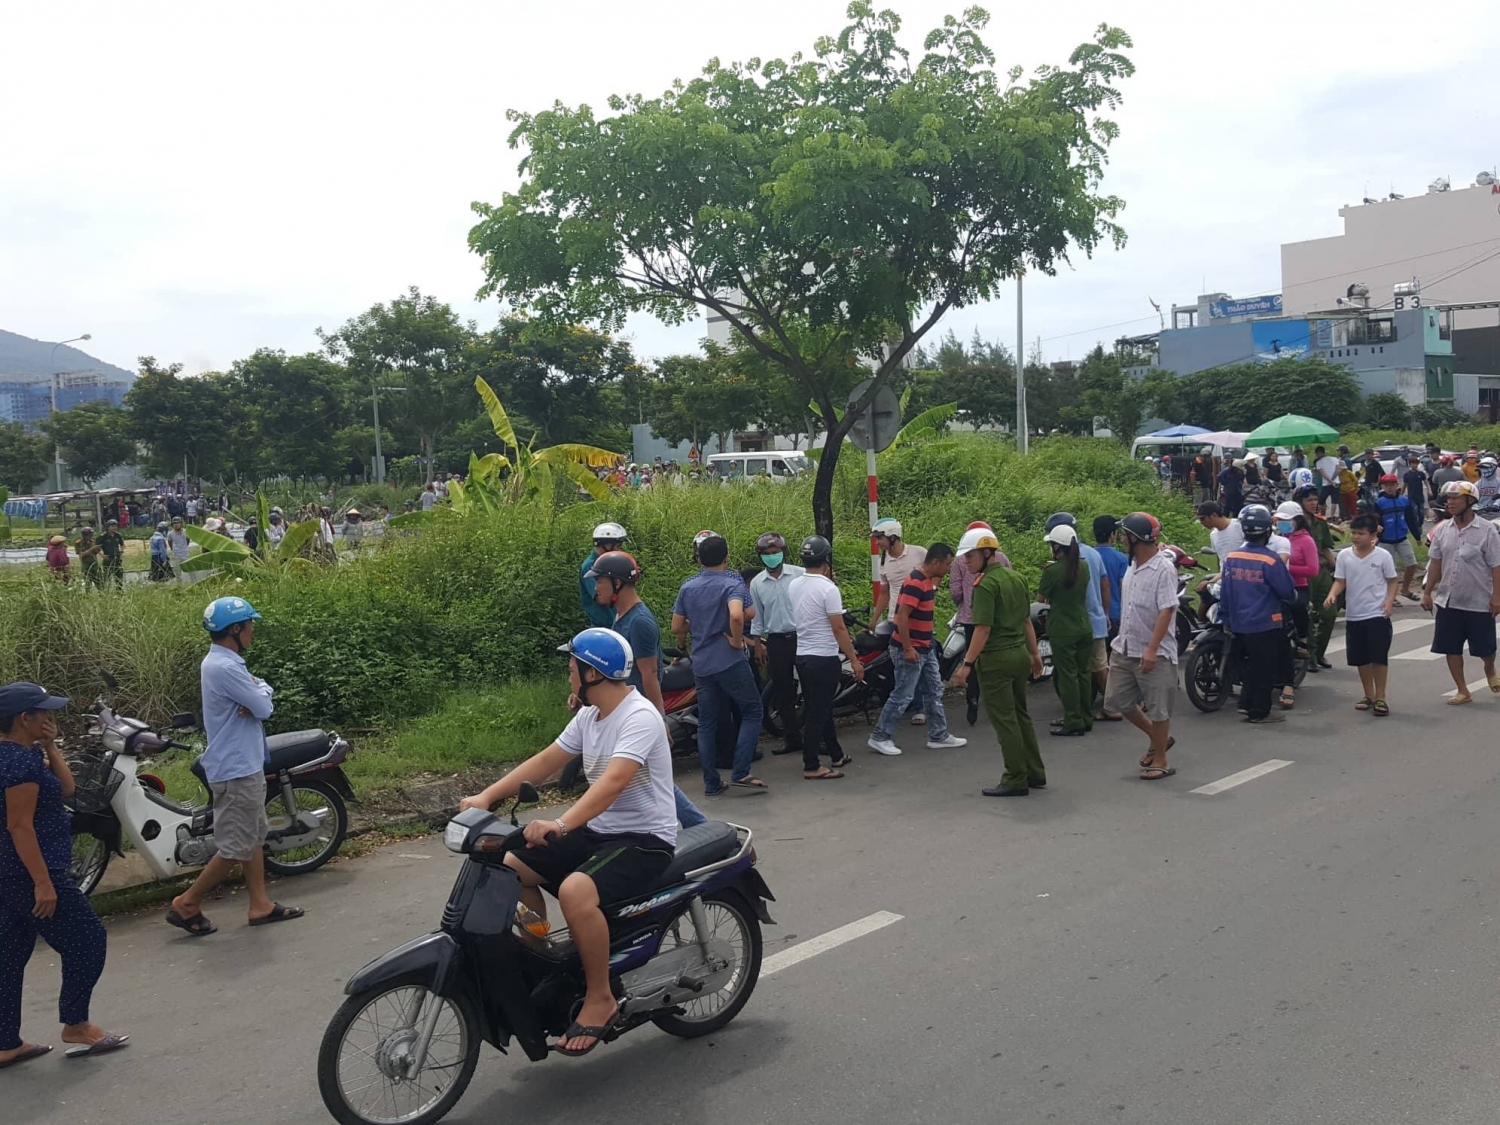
{"x": 916, "y": 658}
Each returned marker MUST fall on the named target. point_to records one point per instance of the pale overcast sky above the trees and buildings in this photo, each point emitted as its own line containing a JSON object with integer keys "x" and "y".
{"x": 199, "y": 181}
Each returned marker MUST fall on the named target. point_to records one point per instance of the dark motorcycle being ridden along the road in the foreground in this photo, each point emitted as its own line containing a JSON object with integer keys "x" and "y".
{"x": 686, "y": 958}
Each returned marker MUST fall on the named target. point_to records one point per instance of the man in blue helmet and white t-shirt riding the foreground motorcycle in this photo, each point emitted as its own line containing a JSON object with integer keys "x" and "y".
{"x": 617, "y": 839}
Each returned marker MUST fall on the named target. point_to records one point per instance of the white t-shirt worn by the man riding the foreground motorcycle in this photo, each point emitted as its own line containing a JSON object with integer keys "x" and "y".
{"x": 634, "y": 731}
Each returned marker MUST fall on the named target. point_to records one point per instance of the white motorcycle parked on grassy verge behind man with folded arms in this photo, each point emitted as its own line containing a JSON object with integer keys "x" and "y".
{"x": 305, "y": 803}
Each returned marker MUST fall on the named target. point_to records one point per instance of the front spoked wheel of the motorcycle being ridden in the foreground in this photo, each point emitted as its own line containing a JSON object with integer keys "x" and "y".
{"x": 373, "y": 1027}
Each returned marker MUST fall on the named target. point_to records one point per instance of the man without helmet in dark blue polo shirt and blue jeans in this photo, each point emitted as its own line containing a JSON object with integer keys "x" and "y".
{"x": 716, "y": 607}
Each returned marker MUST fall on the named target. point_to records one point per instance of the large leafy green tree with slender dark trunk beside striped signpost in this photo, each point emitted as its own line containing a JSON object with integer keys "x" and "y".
{"x": 829, "y": 208}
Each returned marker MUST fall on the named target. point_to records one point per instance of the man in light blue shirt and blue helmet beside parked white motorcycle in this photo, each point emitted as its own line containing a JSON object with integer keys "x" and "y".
{"x": 235, "y": 709}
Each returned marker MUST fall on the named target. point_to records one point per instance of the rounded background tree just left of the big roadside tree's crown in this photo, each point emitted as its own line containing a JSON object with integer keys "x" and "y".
{"x": 419, "y": 344}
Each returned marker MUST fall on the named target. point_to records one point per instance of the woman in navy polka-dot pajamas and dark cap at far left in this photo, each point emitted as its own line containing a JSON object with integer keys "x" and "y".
{"x": 37, "y": 896}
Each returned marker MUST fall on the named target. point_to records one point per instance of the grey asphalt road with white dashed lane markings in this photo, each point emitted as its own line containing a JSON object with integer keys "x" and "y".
{"x": 1315, "y": 946}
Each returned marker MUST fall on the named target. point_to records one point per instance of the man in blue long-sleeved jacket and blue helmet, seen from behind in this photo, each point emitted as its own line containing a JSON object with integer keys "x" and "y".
{"x": 1255, "y": 590}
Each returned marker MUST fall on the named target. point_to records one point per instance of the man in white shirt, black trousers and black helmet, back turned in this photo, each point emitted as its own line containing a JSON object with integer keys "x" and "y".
{"x": 821, "y": 637}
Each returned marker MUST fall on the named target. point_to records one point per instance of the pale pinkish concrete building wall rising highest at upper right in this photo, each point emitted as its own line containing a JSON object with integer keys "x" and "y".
{"x": 1384, "y": 244}
